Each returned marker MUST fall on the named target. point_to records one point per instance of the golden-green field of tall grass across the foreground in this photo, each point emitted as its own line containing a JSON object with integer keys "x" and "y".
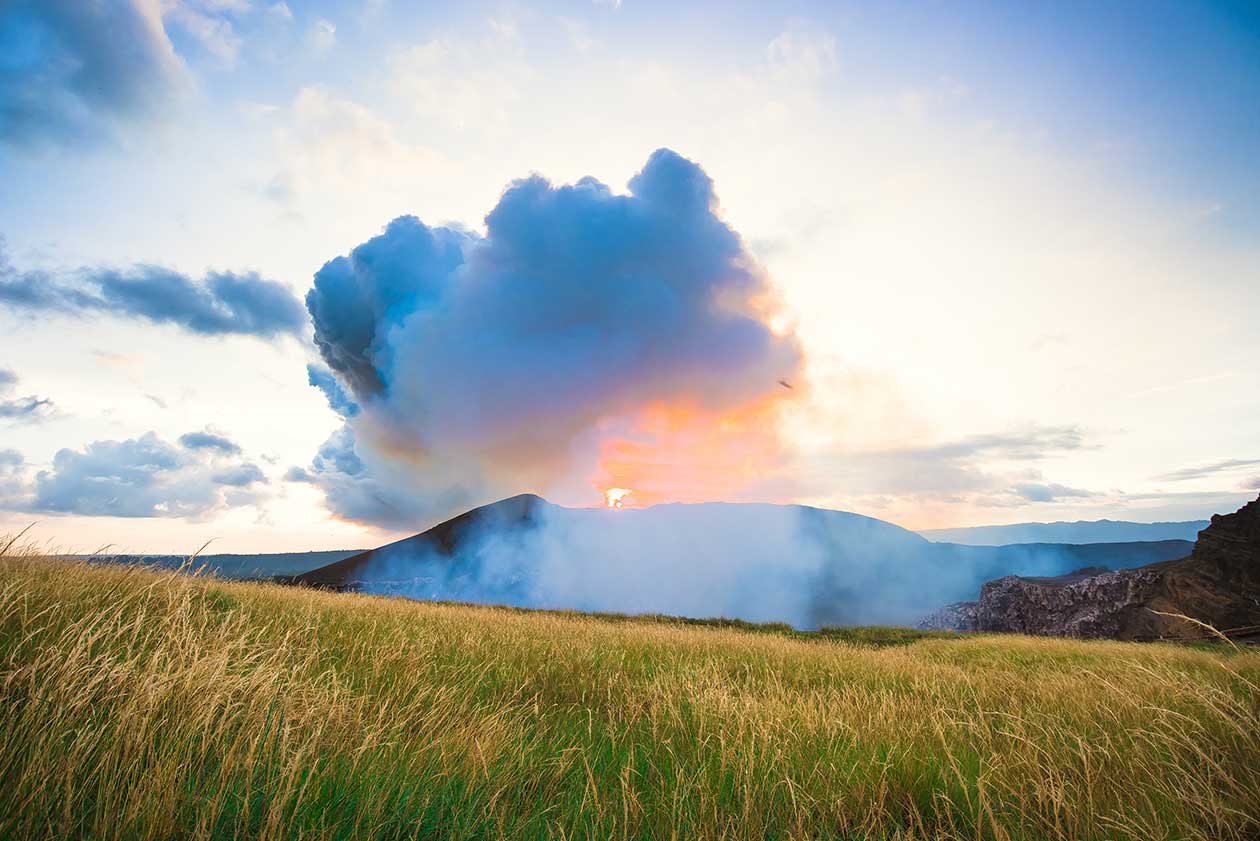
{"x": 142, "y": 704}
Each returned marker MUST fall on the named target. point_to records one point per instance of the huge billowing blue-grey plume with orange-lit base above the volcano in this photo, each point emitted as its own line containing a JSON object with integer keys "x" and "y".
{"x": 491, "y": 365}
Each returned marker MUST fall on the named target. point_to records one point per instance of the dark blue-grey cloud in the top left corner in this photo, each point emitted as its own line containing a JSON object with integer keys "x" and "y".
{"x": 72, "y": 70}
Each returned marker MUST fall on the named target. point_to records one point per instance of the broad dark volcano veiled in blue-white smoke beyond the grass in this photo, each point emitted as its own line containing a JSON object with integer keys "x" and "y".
{"x": 760, "y": 563}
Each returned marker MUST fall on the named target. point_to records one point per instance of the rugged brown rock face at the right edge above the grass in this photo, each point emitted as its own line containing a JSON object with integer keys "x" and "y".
{"x": 1218, "y": 584}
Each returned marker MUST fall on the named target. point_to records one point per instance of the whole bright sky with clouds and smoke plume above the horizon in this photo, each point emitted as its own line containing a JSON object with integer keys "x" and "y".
{"x": 314, "y": 275}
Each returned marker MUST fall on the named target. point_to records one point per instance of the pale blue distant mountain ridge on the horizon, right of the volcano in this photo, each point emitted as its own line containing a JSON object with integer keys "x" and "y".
{"x": 1084, "y": 531}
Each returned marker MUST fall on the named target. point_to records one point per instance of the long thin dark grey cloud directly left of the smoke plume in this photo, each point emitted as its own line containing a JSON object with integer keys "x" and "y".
{"x": 220, "y": 304}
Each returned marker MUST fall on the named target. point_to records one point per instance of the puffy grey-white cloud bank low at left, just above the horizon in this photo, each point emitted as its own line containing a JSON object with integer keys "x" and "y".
{"x": 140, "y": 477}
